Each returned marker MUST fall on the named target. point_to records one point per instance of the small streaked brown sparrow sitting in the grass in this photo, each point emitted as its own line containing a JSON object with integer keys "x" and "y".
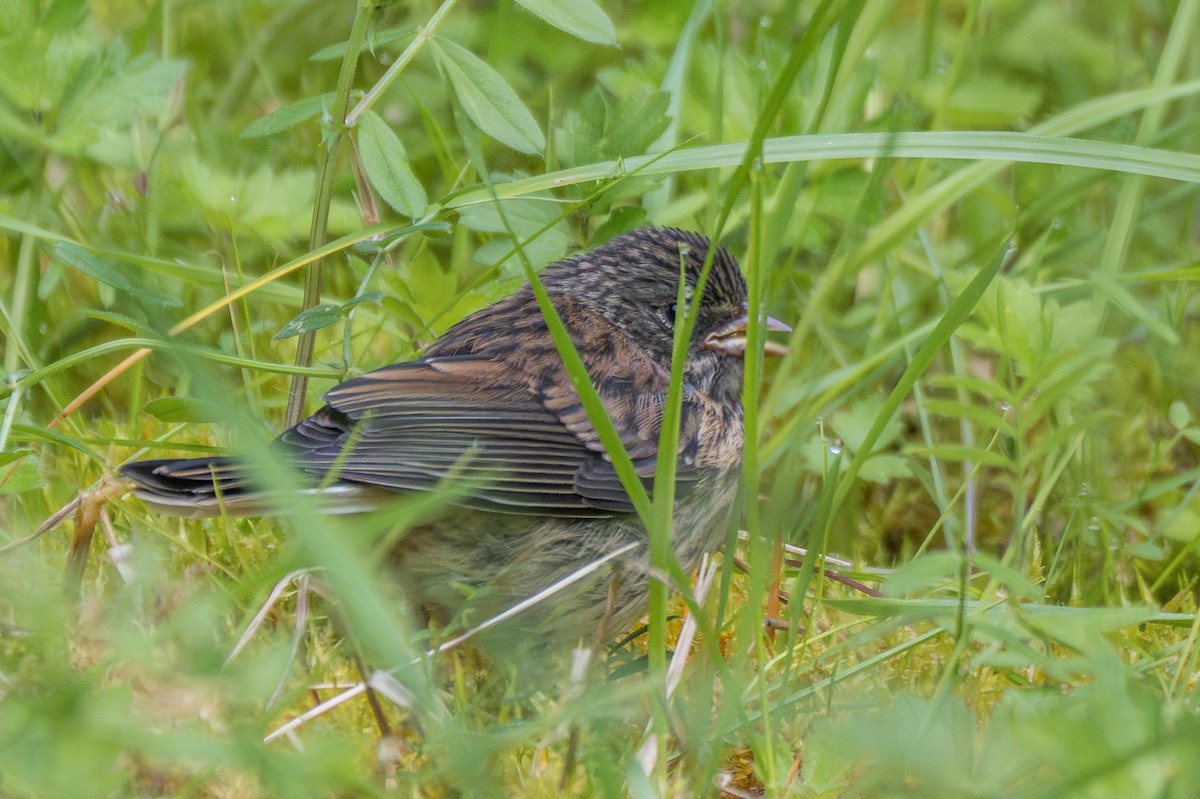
{"x": 491, "y": 406}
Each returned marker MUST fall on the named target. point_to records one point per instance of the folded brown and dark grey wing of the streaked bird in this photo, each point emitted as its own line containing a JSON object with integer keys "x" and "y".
{"x": 523, "y": 446}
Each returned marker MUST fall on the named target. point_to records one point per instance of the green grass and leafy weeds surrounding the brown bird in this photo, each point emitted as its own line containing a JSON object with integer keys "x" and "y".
{"x": 980, "y": 219}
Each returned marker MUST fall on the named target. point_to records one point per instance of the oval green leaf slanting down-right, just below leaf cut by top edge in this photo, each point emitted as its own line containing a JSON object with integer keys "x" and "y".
{"x": 489, "y": 100}
